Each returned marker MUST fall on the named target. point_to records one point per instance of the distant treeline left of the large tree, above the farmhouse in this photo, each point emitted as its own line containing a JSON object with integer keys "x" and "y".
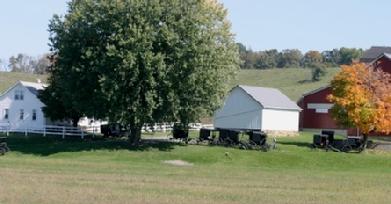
{"x": 28, "y": 64}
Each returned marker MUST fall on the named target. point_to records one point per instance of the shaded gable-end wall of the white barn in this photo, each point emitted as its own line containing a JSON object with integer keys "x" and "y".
{"x": 240, "y": 111}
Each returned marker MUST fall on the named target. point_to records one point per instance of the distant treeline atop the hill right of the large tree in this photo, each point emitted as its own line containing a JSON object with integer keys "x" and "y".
{"x": 273, "y": 58}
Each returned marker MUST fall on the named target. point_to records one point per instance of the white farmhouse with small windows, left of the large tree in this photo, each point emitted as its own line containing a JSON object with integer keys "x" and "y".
{"x": 20, "y": 107}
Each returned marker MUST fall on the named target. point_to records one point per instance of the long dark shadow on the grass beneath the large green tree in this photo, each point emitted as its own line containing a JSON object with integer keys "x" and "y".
{"x": 46, "y": 146}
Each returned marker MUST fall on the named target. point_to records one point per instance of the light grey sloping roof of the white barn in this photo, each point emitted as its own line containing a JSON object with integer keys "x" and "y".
{"x": 270, "y": 98}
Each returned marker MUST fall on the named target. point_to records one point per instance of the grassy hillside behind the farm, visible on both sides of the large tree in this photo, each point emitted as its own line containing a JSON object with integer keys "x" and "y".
{"x": 292, "y": 81}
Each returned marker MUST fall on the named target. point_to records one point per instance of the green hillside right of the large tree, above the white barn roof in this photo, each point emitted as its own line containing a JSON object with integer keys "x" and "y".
{"x": 292, "y": 81}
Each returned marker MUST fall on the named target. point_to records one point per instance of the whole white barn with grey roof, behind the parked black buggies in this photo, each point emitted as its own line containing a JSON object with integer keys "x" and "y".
{"x": 257, "y": 108}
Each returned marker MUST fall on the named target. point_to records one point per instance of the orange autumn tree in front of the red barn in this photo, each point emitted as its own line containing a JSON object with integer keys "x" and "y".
{"x": 362, "y": 98}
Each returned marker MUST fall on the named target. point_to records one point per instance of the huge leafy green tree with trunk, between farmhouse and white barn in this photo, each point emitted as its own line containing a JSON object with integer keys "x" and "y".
{"x": 138, "y": 61}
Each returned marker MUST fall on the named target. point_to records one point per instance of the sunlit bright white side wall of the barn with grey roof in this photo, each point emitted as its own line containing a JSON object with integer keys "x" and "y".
{"x": 284, "y": 120}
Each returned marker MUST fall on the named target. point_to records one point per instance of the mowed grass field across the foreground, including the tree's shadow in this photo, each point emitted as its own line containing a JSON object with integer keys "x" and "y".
{"x": 49, "y": 170}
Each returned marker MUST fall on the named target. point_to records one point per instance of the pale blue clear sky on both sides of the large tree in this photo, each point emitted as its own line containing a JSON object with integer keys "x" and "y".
{"x": 258, "y": 24}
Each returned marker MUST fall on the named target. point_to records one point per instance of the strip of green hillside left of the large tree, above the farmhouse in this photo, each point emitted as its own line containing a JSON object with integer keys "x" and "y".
{"x": 7, "y": 79}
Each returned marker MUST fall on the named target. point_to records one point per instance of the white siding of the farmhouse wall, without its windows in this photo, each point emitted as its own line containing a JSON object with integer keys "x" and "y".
{"x": 28, "y": 104}
